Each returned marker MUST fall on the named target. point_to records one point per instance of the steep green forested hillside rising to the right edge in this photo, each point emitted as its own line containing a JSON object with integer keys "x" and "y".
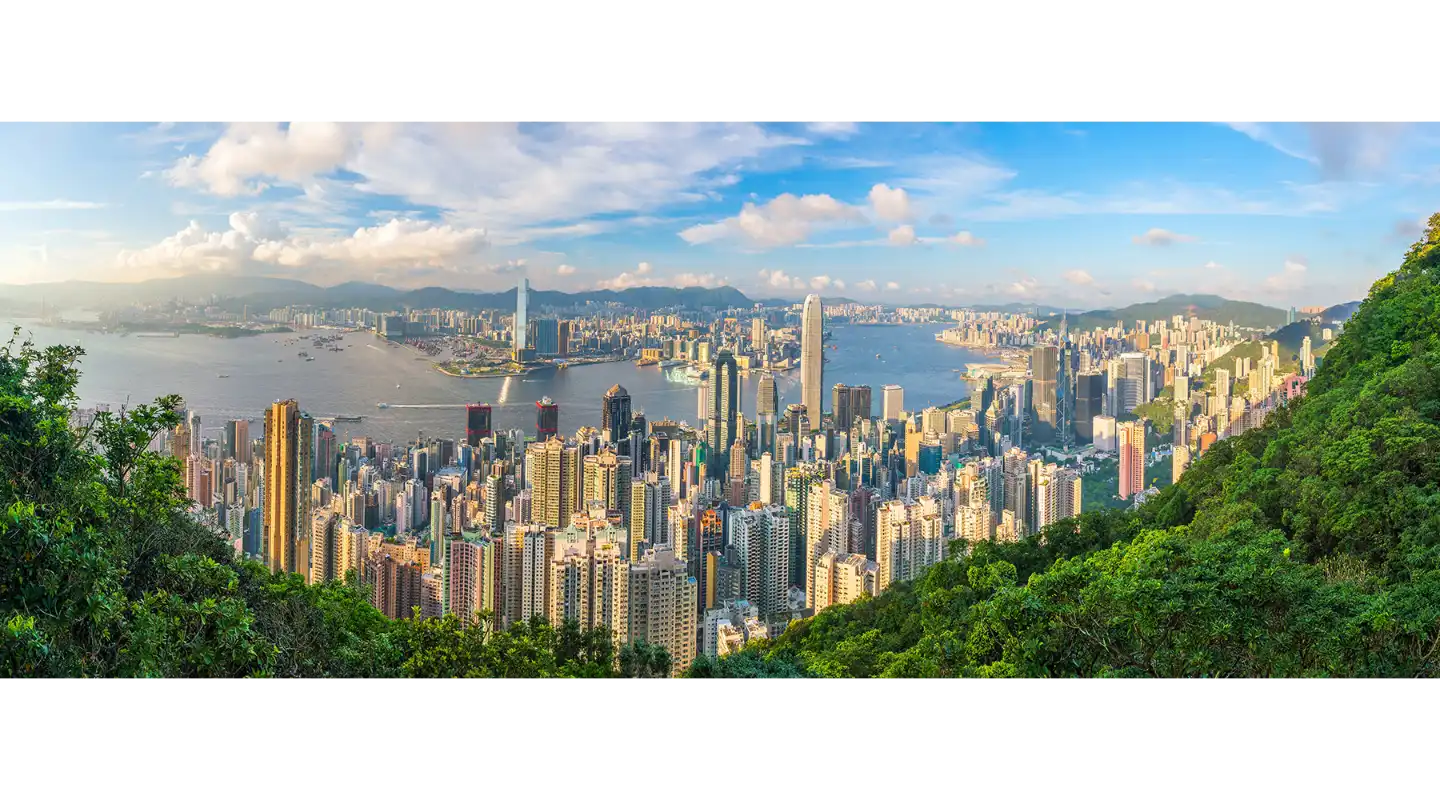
{"x": 1305, "y": 549}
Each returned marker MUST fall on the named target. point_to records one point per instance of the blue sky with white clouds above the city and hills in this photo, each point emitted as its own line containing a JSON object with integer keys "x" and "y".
{"x": 1078, "y": 215}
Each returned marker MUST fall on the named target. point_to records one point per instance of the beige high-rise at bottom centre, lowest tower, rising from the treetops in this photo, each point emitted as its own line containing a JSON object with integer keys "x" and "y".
{"x": 663, "y": 605}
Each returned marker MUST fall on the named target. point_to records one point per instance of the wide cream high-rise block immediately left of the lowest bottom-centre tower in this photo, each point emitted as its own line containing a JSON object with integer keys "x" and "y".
{"x": 590, "y": 583}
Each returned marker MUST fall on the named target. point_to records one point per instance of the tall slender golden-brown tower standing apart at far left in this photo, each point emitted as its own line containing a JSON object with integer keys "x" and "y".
{"x": 289, "y": 440}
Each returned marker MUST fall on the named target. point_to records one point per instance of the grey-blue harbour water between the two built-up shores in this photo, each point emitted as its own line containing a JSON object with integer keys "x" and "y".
{"x": 423, "y": 402}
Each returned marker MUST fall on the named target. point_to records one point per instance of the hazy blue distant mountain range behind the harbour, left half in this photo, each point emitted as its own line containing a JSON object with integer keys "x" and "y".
{"x": 261, "y": 294}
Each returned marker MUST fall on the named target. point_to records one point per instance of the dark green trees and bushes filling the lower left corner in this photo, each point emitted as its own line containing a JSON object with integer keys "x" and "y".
{"x": 103, "y": 575}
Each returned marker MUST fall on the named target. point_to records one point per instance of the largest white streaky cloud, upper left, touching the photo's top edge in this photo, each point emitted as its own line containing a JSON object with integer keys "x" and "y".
{"x": 506, "y": 178}
